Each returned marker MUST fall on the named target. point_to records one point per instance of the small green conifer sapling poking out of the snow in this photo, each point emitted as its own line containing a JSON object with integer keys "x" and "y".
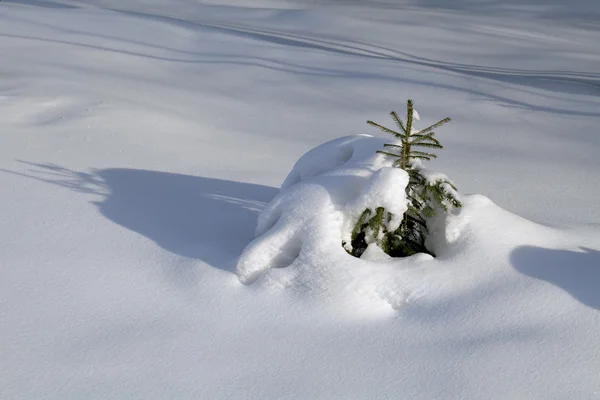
{"x": 427, "y": 192}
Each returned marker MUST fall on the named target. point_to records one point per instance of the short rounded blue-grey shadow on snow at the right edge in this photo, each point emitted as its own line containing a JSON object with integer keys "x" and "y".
{"x": 578, "y": 273}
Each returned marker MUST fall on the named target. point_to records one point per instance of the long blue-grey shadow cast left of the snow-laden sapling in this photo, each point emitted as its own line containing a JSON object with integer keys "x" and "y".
{"x": 195, "y": 217}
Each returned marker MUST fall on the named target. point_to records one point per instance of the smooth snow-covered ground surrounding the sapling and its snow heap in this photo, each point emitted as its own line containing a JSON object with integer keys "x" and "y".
{"x": 140, "y": 140}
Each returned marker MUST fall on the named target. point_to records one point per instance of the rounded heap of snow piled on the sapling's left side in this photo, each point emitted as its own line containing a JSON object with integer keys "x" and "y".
{"x": 320, "y": 202}
